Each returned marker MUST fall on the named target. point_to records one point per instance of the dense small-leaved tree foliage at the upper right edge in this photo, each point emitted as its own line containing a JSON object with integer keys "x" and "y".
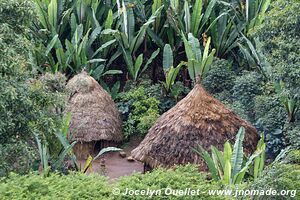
{"x": 278, "y": 35}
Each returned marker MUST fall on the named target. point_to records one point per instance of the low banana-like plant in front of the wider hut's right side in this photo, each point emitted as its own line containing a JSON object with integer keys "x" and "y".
{"x": 230, "y": 165}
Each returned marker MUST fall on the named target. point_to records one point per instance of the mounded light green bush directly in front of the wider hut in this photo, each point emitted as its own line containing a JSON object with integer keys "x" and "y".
{"x": 179, "y": 178}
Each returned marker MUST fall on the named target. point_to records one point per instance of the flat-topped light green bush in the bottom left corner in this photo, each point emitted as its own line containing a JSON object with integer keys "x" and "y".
{"x": 73, "y": 186}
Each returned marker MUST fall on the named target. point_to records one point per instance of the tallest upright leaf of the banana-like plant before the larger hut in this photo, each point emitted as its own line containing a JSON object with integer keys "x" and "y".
{"x": 237, "y": 154}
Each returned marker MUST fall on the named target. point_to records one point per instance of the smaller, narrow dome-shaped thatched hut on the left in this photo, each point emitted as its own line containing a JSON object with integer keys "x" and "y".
{"x": 95, "y": 122}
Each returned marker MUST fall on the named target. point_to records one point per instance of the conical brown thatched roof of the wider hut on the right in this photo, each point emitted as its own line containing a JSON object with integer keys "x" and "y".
{"x": 197, "y": 119}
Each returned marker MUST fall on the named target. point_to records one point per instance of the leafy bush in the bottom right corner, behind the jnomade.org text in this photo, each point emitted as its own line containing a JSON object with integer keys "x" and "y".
{"x": 279, "y": 177}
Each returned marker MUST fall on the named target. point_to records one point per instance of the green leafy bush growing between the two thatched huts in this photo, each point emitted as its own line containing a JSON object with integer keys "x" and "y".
{"x": 139, "y": 111}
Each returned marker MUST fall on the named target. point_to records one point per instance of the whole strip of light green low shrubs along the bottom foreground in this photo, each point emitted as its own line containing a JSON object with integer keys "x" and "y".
{"x": 81, "y": 186}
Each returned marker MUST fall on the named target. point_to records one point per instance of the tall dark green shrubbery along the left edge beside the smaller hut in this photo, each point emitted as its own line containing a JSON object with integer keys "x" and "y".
{"x": 27, "y": 104}
